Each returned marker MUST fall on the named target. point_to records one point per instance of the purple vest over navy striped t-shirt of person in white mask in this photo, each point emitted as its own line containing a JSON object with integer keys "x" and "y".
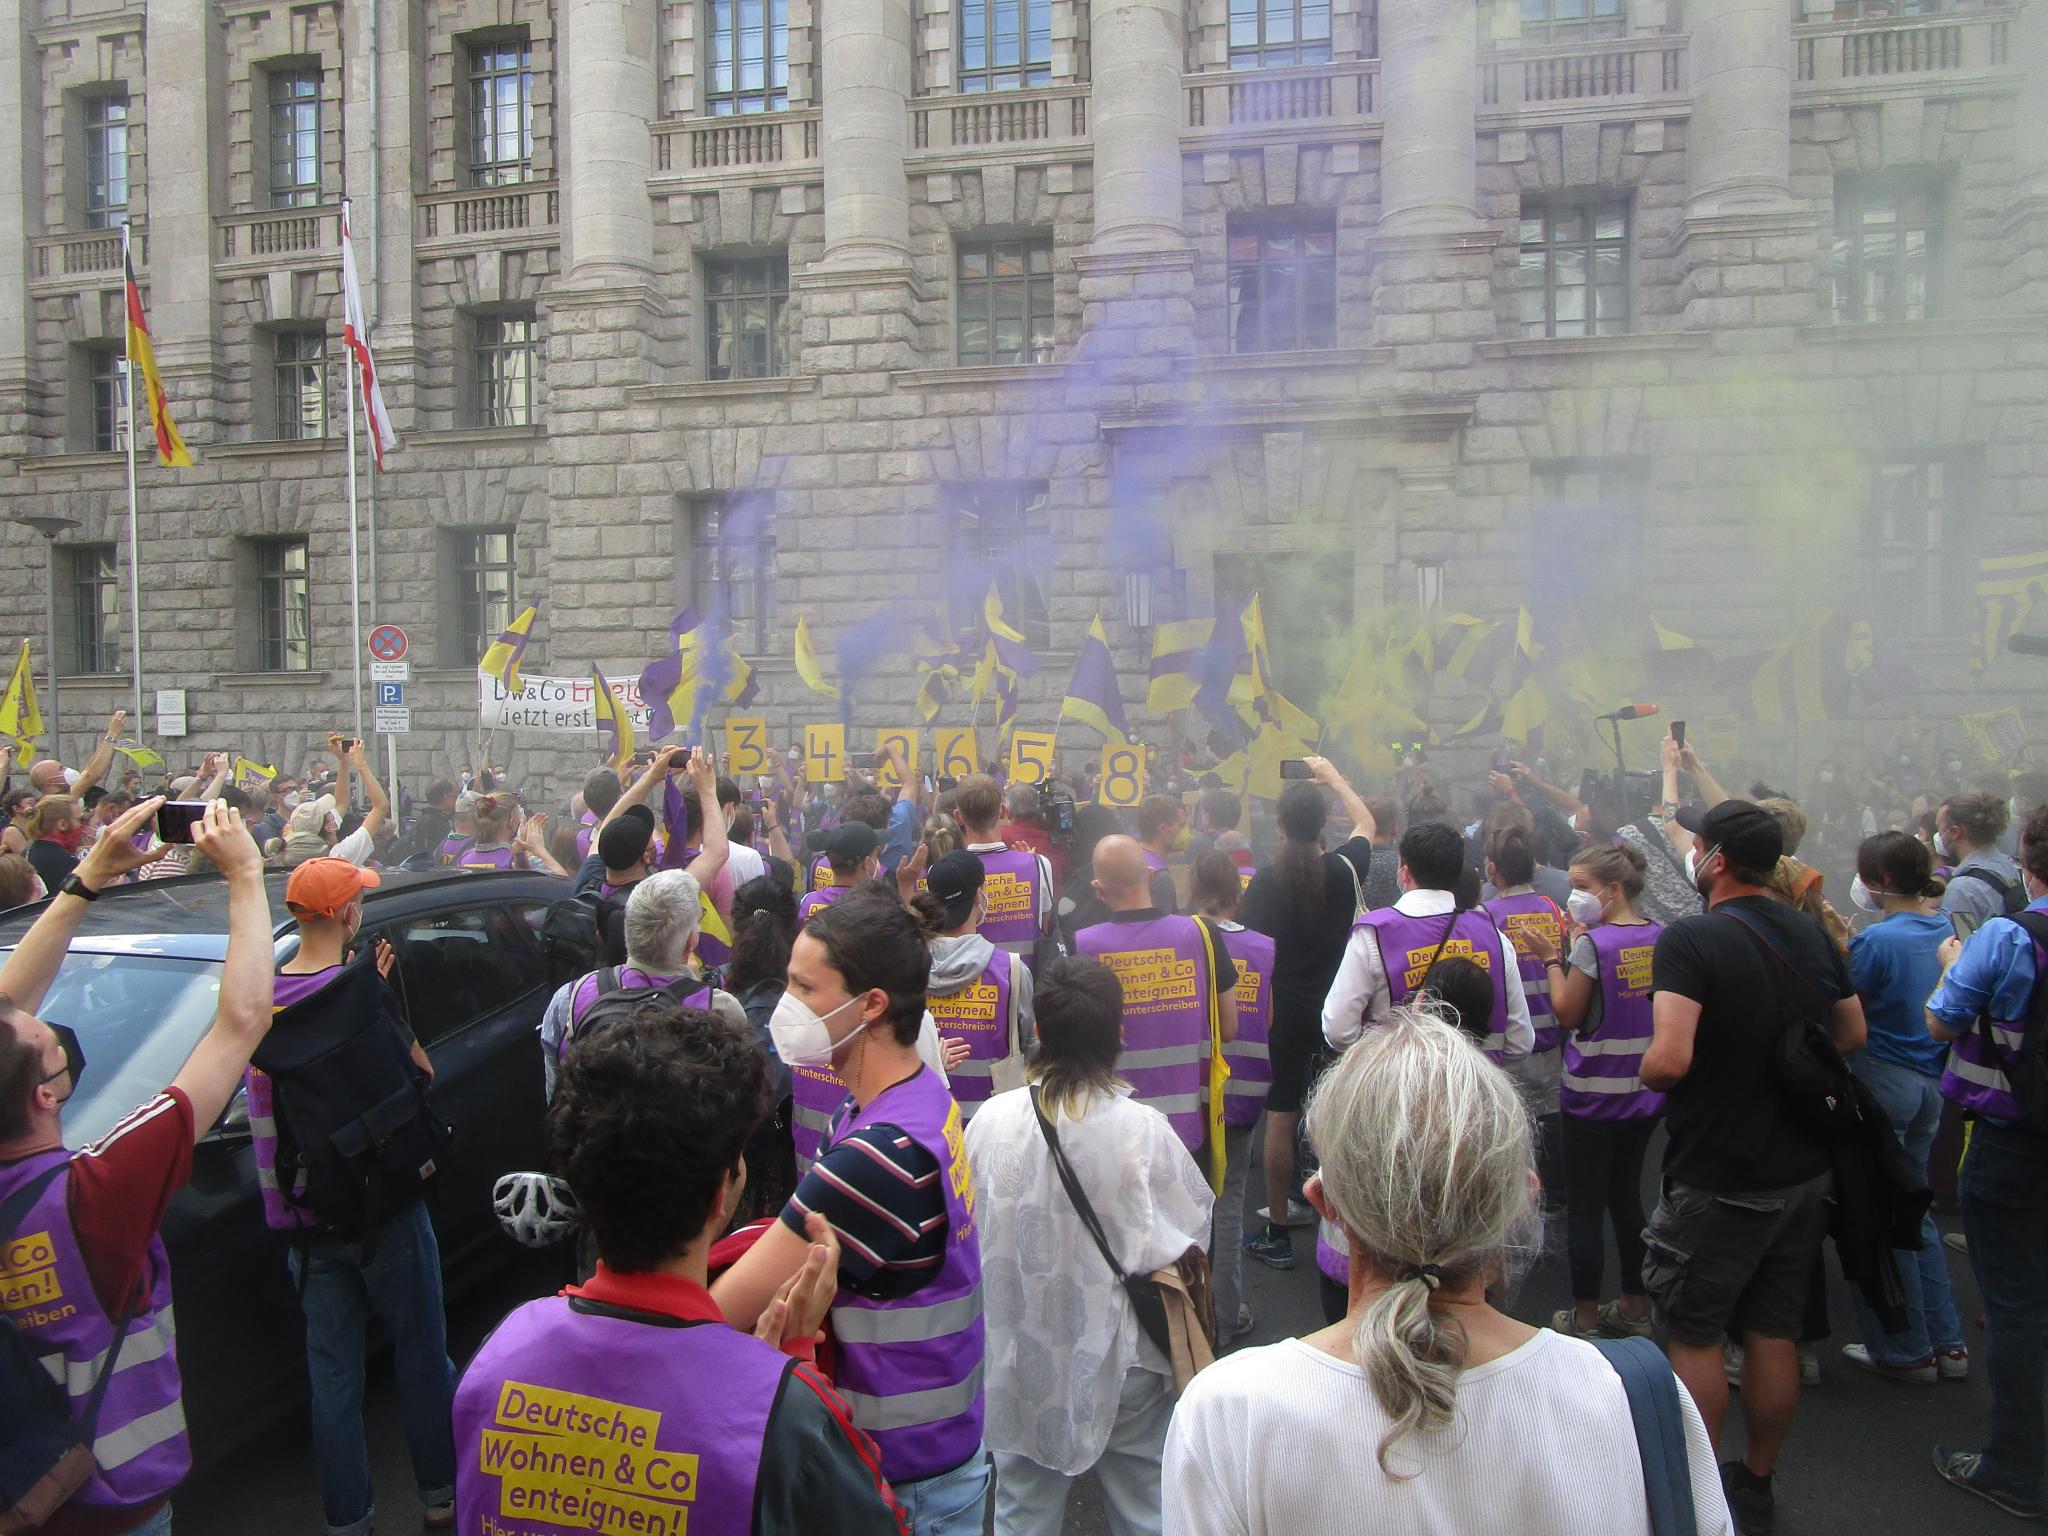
{"x": 910, "y": 1369}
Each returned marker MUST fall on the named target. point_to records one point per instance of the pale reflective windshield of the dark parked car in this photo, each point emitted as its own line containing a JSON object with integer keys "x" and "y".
{"x": 138, "y": 1019}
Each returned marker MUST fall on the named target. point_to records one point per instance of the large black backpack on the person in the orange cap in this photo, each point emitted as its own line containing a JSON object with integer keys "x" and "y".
{"x": 351, "y": 1107}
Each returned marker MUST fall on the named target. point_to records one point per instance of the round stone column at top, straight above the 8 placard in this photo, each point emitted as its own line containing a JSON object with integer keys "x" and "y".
{"x": 1138, "y": 110}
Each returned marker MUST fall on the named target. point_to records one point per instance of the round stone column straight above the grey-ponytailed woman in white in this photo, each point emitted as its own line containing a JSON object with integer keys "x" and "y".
{"x": 1431, "y": 95}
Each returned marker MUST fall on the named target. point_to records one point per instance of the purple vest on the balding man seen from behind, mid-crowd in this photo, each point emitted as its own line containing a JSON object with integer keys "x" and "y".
{"x": 1164, "y": 970}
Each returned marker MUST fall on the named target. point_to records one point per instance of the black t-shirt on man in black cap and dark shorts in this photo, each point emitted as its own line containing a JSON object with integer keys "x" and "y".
{"x": 1730, "y": 1129}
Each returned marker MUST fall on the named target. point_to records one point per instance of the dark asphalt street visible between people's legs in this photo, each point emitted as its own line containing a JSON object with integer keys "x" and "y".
{"x": 1859, "y": 1459}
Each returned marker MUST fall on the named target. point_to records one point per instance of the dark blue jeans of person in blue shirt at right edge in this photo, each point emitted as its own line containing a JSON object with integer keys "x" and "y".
{"x": 2006, "y": 1215}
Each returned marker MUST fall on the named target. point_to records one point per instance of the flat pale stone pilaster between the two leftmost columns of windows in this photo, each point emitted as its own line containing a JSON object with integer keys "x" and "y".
{"x": 183, "y": 110}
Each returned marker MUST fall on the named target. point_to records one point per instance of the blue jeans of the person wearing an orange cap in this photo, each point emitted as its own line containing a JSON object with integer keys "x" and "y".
{"x": 402, "y": 1285}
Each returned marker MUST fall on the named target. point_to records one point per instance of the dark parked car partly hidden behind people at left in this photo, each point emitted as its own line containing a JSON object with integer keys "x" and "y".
{"x": 140, "y": 988}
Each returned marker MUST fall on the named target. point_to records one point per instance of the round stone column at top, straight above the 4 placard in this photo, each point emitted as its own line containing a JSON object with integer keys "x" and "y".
{"x": 865, "y": 54}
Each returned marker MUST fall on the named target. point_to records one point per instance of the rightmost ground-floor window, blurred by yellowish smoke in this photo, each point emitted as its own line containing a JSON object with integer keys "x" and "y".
{"x": 1922, "y": 554}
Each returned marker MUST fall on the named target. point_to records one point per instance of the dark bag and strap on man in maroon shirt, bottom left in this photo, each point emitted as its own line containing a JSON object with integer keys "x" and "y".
{"x": 46, "y": 1455}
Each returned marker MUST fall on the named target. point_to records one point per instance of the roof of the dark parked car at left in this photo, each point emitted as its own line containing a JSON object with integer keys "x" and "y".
{"x": 187, "y": 914}
